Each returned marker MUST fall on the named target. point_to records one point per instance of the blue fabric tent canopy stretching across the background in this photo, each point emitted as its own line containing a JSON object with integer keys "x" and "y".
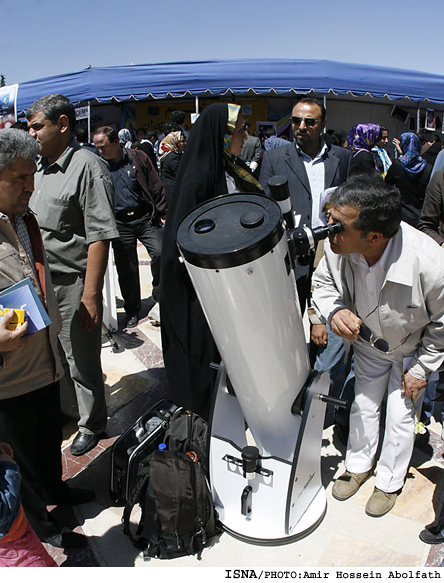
{"x": 160, "y": 80}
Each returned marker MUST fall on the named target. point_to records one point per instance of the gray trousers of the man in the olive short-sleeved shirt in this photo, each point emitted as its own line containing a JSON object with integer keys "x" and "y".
{"x": 81, "y": 358}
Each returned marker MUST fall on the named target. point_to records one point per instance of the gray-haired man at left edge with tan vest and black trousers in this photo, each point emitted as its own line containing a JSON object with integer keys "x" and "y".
{"x": 30, "y": 368}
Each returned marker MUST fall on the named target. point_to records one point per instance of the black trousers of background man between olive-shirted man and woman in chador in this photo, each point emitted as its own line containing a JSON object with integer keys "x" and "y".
{"x": 127, "y": 263}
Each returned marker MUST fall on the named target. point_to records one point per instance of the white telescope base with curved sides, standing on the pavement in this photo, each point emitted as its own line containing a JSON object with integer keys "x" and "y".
{"x": 283, "y": 500}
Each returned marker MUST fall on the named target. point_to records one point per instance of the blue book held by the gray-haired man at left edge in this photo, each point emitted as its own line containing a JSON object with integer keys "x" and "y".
{"x": 22, "y": 295}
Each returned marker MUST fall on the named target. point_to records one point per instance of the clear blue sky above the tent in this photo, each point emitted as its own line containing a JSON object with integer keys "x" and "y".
{"x": 40, "y": 38}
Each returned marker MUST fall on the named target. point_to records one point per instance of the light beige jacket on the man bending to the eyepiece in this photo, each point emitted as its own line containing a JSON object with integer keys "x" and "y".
{"x": 411, "y": 301}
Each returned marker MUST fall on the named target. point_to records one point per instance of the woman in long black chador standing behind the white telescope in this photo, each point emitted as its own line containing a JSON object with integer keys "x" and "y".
{"x": 209, "y": 168}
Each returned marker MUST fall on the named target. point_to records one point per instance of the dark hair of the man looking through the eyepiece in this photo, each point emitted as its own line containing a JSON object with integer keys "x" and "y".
{"x": 378, "y": 203}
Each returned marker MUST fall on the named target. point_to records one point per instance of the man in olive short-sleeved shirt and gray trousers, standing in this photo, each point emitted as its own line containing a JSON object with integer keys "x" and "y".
{"x": 74, "y": 204}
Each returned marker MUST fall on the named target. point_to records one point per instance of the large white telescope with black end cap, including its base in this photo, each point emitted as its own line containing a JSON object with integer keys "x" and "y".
{"x": 269, "y": 407}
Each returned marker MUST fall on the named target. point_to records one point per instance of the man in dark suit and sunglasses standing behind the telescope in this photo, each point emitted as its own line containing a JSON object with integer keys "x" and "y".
{"x": 311, "y": 166}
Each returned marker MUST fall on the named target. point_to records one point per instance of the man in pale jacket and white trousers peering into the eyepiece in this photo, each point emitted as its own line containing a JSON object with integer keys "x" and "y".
{"x": 380, "y": 285}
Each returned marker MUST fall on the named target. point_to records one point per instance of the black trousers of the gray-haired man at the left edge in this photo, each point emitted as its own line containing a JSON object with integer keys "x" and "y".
{"x": 31, "y": 424}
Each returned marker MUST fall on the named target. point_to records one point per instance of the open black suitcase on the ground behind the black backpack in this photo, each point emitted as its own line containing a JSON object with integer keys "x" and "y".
{"x": 135, "y": 444}
